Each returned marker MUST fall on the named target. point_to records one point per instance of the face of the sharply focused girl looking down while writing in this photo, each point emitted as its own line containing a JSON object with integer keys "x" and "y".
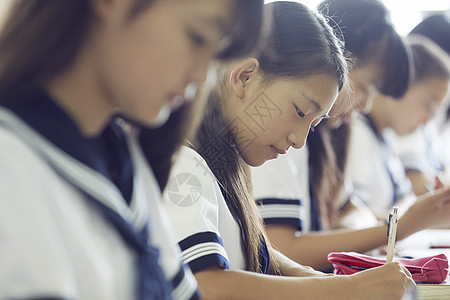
{"x": 272, "y": 117}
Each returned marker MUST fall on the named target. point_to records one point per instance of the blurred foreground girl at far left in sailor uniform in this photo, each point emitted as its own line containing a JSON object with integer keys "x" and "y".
{"x": 80, "y": 213}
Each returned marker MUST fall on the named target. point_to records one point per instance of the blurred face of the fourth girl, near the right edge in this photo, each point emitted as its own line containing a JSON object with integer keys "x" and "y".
{"x": 418, "y": 105}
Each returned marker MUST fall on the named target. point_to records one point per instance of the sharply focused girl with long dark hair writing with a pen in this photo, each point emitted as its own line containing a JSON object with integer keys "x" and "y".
{"x": 262, "y": 106}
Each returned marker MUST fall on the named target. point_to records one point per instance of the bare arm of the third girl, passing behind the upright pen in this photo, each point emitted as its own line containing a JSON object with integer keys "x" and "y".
{"x": 312, "y": 249}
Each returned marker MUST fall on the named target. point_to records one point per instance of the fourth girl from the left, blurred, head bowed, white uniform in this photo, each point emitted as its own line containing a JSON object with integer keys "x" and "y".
{"x": 377, "y": 173}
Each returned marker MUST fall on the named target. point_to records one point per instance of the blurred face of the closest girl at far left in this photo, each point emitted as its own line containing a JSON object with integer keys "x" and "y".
{"x": 146, "y": 62}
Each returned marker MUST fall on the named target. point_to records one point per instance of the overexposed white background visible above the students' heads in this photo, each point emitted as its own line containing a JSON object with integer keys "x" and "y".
{"x": 405, "y": 14}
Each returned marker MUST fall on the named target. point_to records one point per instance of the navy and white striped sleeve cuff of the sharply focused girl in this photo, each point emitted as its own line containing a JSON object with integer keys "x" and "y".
{"x": 203, "y": 250}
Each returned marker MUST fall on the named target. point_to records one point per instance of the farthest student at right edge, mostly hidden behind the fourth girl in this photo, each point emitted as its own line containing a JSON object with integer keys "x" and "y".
{"x": 423, "y": 152}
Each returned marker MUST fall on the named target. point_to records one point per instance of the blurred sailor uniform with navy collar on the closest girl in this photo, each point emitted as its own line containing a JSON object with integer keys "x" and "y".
{"x": 80, "y": 218}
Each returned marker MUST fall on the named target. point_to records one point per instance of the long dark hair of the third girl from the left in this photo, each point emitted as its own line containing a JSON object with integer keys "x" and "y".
{"x": 369, "y": 36}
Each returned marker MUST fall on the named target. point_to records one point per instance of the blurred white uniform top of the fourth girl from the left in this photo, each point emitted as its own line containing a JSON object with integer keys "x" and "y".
{"x": 377, "y": 173}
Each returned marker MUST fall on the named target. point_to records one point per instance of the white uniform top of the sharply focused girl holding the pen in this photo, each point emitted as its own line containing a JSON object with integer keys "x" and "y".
{"x": 204, "y": 225}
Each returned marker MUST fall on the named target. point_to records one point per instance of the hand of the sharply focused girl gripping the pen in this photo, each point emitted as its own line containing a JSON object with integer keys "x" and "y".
{"x": 390, "y": 281}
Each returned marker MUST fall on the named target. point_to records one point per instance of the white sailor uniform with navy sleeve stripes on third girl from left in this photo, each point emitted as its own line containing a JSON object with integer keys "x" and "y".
{"x": 280, "y": 184}
